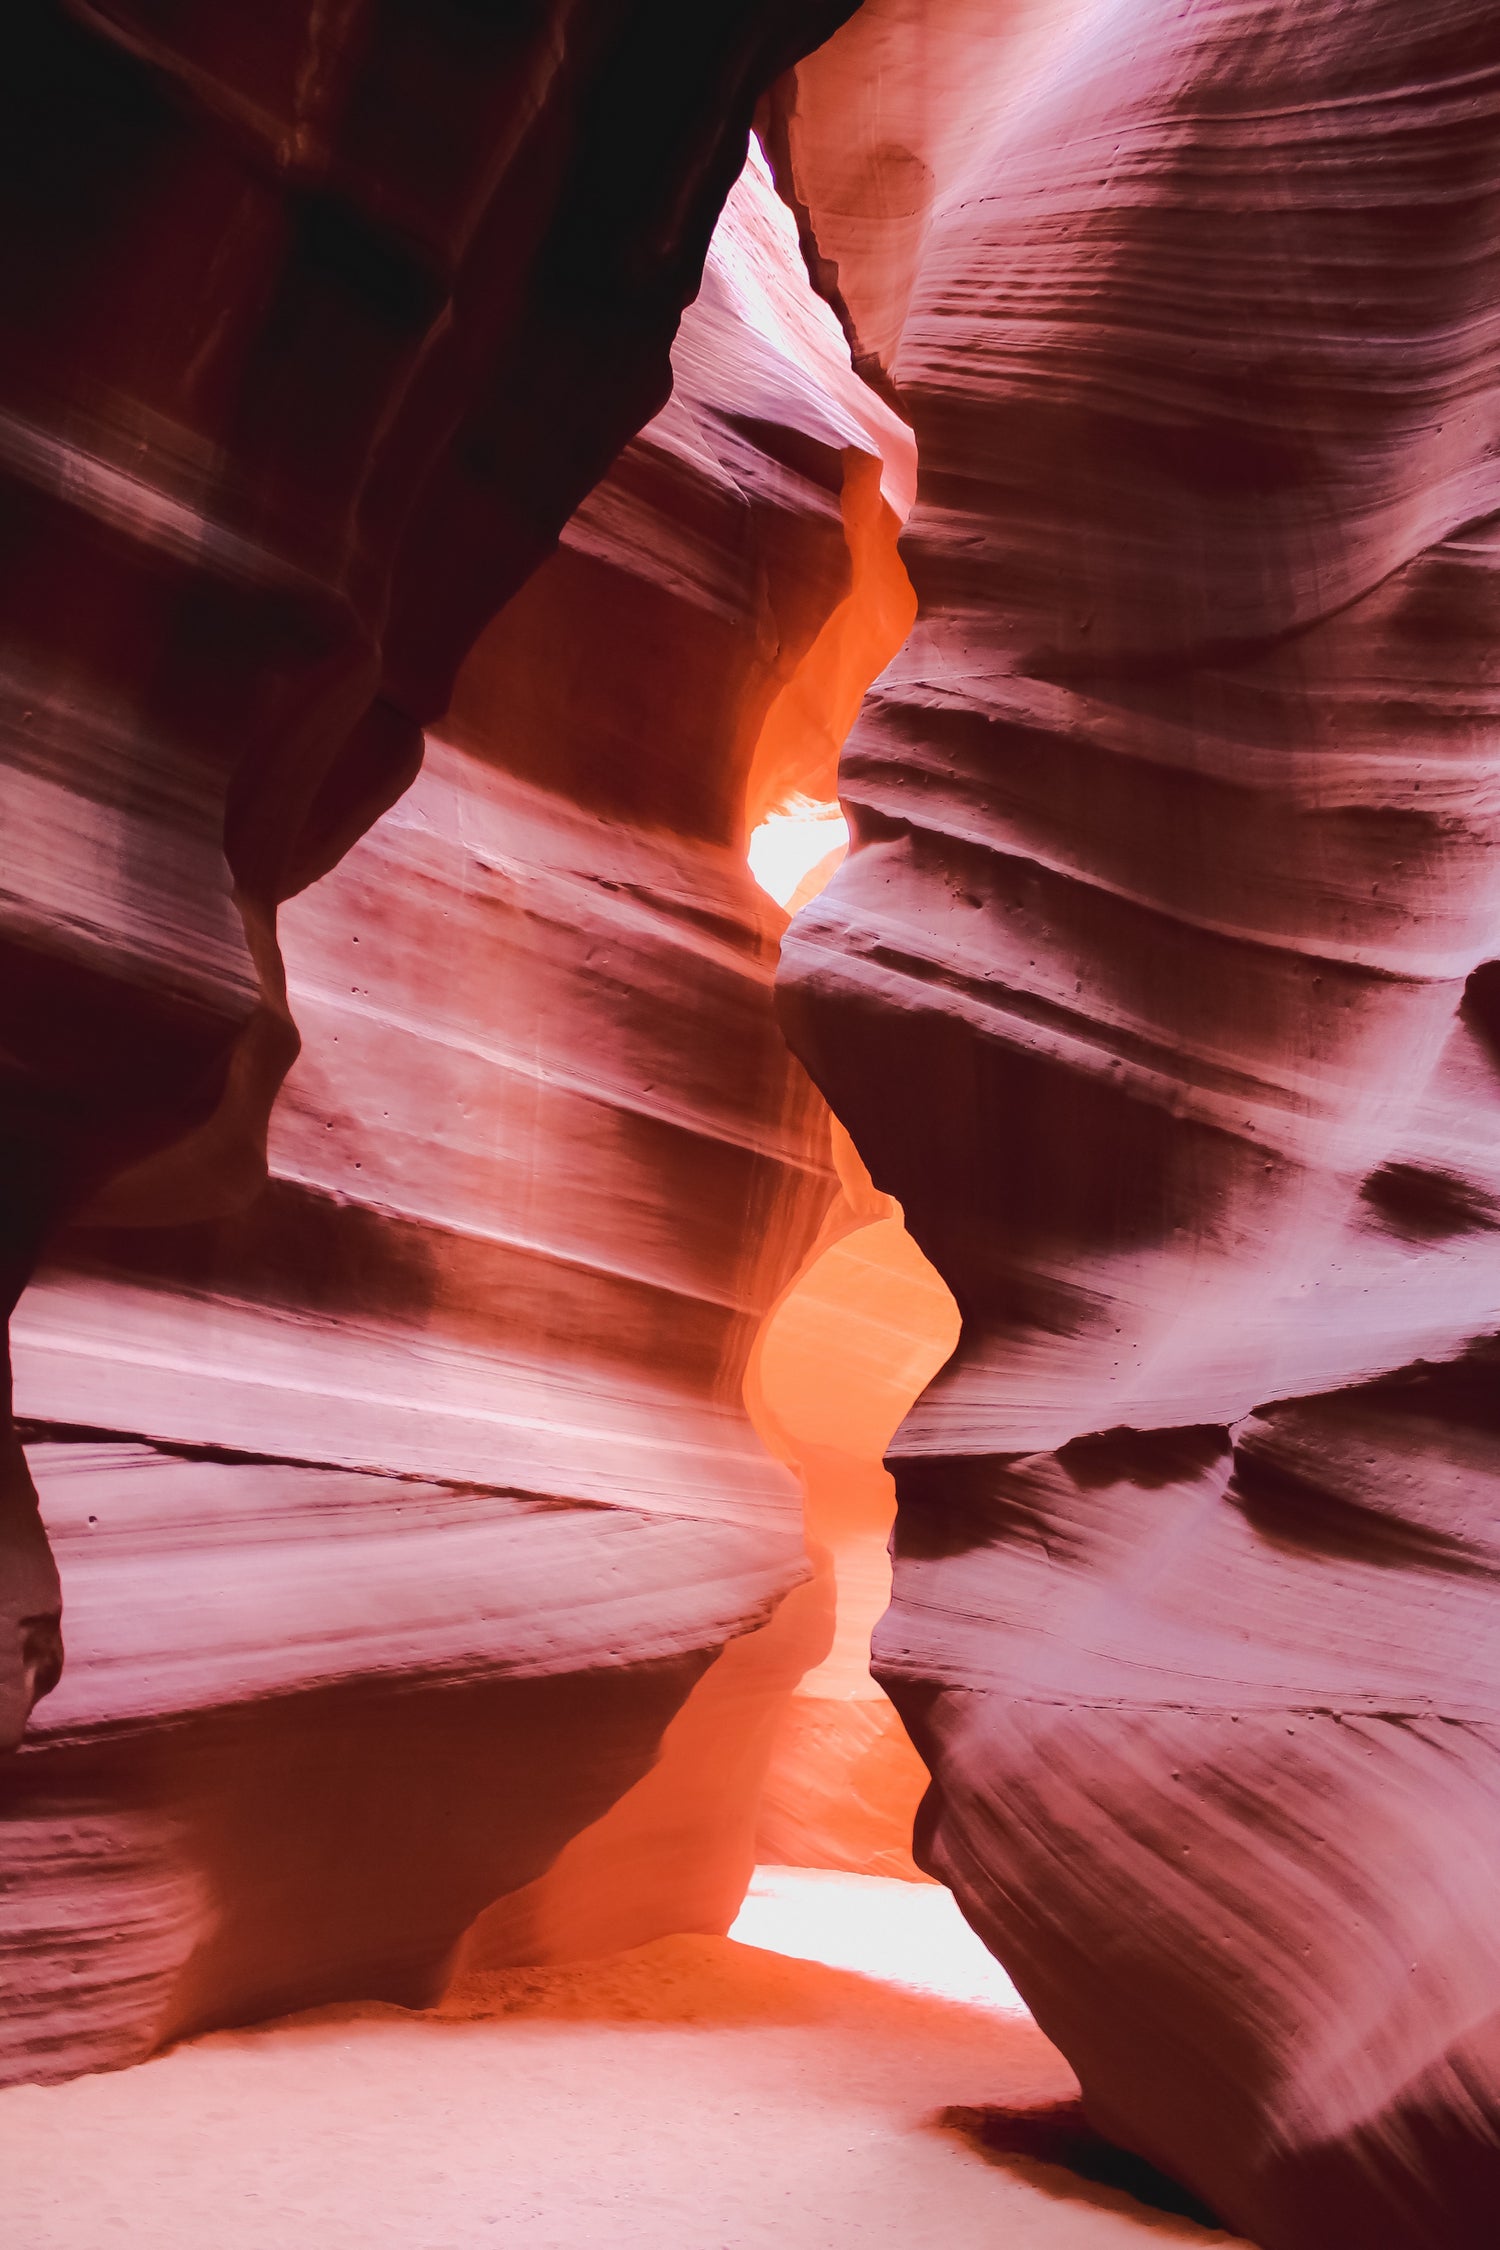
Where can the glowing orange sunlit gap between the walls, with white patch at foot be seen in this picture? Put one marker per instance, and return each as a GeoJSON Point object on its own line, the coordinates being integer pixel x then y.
{"type": "Point", "coordinates": [838, 1365]}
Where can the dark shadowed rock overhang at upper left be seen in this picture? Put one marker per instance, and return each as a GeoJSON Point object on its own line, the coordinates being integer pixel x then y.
{"type": "Point", "coordinates": [318, 325]}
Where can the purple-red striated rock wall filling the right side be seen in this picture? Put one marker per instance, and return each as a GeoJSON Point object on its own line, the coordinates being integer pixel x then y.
{"type": "Point", "coordinates": [1162, 991]}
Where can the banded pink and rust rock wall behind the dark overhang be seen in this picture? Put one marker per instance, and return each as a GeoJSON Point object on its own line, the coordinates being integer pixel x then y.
{"type": "Point", "coordinates": [440, 1491]}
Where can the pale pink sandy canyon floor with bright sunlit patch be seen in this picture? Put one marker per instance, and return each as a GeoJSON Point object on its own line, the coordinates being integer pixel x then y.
{"type": "Point", "coordinates": [703, 2094]}
